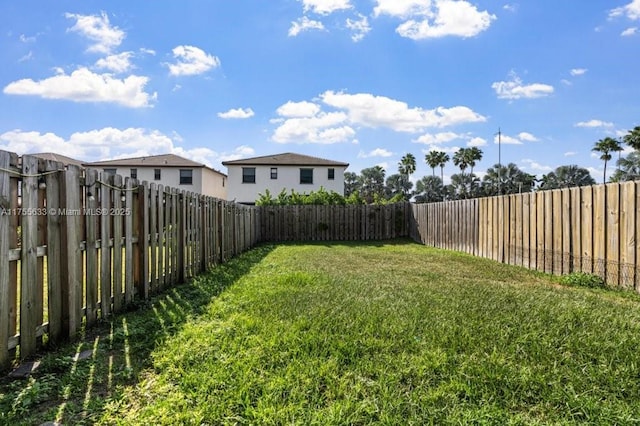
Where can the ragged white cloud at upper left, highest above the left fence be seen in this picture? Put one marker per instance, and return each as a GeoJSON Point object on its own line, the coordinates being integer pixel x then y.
{"type": "Point", "coordinates": [99, 30]}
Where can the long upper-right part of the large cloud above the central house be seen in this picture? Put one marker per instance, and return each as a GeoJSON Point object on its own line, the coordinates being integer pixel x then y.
{"type": "Point", "coordinates": [379, 111]}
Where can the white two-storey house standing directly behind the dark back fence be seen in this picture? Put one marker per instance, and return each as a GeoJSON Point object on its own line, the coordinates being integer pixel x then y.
{"type": "Point", "coordinates": [250, 177]}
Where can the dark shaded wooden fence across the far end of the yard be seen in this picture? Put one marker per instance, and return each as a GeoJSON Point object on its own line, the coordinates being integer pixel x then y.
{"type": "Point", "coordinates": [334, 223]}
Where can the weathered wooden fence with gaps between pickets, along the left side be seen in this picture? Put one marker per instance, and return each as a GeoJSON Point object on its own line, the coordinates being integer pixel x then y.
{"type": "Point", "coordinates": [77, 245]}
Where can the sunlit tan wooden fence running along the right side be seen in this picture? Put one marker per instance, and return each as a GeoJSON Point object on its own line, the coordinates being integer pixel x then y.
{"type": "Point", "coordinates": [593, 229]}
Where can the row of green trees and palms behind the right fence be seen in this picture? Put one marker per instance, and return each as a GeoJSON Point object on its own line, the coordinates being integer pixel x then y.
{"type": "Point", "coordinates": [500, 179]}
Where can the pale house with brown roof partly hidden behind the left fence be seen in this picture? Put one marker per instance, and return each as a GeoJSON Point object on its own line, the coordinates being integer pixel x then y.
{"type": "Point", "coordinates": [168, 170]}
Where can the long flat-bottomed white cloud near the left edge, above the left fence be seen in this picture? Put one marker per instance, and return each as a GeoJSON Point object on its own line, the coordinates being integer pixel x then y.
{"type": "Point", "coordinates": [82, 85]}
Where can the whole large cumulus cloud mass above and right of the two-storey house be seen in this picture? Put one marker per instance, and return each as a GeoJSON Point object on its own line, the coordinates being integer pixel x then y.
{"type": "Point", "coordinates": [307, 122]}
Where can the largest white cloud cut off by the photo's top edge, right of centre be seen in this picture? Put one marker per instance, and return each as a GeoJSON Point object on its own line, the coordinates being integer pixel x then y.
{"type": "Point", "coordinates": [437, 18]}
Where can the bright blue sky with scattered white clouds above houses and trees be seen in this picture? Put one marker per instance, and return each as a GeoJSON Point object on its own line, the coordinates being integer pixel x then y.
{"type": "Point", "coordinates": [361, 81]}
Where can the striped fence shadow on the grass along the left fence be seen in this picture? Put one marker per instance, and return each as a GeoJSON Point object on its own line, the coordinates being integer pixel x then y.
{"type": "Point", "coordinates": [74, 382]}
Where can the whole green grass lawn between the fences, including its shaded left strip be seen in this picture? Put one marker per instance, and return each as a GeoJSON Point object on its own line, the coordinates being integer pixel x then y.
{"type": "Point", "coordinates": [391, 333]}
